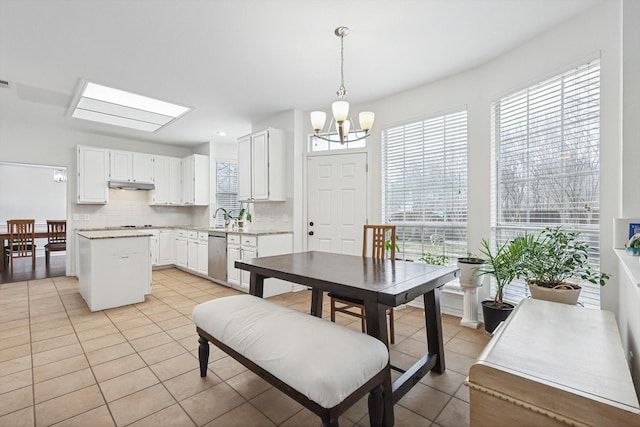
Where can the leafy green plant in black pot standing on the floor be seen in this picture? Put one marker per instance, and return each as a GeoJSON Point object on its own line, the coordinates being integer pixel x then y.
{"type": "Point", "coordinates": [504, 266]}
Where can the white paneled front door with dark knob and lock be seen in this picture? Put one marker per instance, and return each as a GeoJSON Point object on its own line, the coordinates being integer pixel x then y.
{"type": "Point", "coordinates": [337, 202]}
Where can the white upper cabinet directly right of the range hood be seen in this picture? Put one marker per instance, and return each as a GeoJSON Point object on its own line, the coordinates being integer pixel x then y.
{"type": "Point", "coordinates": [167, 175]}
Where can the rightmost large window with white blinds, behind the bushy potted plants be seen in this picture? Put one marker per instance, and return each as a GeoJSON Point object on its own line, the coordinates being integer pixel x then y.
{"type": "Point", "coordinates": [546, 142]}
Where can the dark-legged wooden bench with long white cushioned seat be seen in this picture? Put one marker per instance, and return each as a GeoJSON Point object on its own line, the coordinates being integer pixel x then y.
{"type": "Point", "coordinates": [323, 366]}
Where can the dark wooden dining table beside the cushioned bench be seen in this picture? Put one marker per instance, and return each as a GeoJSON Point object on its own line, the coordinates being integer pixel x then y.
{"type": "Point", "coordinates": [381, 284]}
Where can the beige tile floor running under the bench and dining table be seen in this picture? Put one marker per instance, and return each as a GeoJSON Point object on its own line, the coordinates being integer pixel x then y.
{"type": "Point", "coordinates": [61, 365]}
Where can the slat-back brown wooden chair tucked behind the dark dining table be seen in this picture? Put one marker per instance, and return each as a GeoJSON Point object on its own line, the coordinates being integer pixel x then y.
{"type": "Point", "coordinates": [355, 307]}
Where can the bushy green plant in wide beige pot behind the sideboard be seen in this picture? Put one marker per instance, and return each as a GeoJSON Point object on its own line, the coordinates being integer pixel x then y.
{"type": "Point", "coordinates": [552, 259]}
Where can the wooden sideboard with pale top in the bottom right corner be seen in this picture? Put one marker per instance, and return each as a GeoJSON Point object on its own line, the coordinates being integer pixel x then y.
{"type": "Point", "coordinates": [553, 364]}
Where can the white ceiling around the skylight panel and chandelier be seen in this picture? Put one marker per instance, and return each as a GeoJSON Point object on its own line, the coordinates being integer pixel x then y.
{"type": "Point", "coordinates": [236, 62]}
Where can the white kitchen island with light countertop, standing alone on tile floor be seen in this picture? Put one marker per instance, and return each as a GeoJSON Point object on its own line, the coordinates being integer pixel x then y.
{"type": "Point", "coordinates": [114, 267]}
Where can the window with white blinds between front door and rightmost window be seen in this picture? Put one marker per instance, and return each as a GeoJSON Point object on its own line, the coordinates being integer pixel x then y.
{"type": "Point", "coordinates": [425, 185]}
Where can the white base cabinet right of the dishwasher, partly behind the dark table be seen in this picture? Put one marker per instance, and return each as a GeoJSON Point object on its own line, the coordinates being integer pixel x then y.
{"type": "Point", "coordinates": [245, 247]}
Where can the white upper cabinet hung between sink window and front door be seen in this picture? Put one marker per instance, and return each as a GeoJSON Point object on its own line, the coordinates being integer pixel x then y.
{"type": "Point", "coordinates": [261, 166]}
